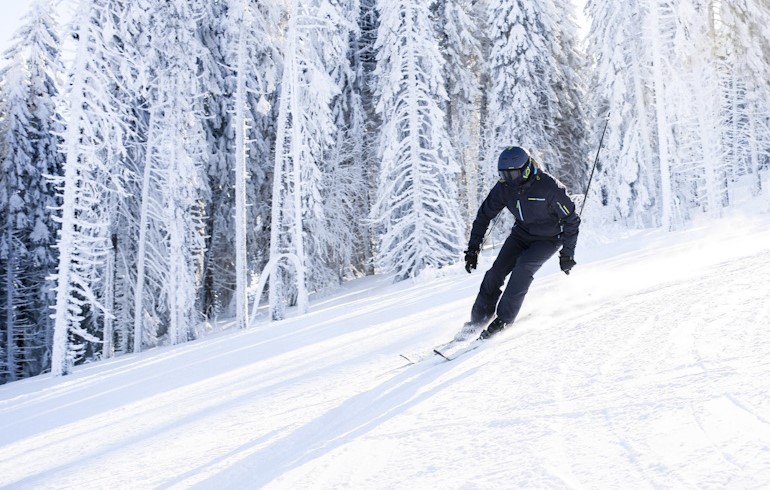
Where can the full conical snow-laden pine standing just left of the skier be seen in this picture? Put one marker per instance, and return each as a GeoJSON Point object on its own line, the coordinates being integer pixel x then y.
{"type": "Point", "coordinates": [416, 207]}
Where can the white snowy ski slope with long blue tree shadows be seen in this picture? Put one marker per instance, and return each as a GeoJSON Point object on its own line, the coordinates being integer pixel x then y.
{"type": "Point", "coordinates": [647, 367]}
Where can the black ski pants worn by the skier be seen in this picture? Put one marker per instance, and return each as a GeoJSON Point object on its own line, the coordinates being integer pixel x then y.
{"type": "Point", "coordinates": [520, 256]}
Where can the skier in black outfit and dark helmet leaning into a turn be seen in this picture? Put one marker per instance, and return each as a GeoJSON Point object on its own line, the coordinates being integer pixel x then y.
{"type": "Point", "coordinates": [545, 219]}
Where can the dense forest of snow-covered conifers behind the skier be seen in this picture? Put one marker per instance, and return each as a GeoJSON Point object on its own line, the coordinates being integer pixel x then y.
{"type": "Point", "coordinates": [170, 163]}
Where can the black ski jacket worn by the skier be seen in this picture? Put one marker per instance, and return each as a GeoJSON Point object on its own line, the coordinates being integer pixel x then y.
{"type": "Point", "coordinates": [540, 206]}
